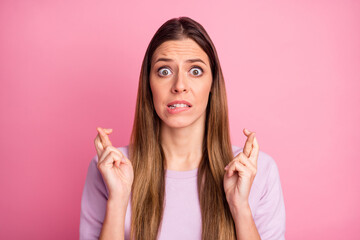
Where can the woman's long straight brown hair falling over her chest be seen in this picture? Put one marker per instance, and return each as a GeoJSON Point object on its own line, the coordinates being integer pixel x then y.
{"type": "Point", "coordinates": [147, 156]}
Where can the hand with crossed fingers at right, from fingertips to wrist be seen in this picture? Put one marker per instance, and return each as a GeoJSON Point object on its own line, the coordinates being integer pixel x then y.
{"type": "Point", "coordinates": [240, 173]}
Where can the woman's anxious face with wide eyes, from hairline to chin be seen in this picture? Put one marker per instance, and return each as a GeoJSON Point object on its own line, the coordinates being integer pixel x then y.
{"type": "Point", "coordinates": [180, 71]}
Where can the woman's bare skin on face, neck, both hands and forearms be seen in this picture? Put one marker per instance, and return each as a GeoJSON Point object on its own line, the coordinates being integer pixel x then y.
{"type": "Point", "coordinates": [181, 137]}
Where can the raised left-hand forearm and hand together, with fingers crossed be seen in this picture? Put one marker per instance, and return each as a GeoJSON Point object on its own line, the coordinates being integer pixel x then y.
{"type": "Point", "coordinates": [118, 175]}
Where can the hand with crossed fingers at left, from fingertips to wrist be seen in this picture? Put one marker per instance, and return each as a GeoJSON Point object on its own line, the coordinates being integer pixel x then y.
{"type": "Point", "coordinates": [115, 167]}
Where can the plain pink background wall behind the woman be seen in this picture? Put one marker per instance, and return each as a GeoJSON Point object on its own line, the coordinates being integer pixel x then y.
{"type": "Point", "coordinates": [292, 76]}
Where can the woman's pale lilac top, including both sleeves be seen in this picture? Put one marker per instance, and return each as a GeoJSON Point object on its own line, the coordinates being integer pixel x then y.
{"type": "Point", "coordinates": [182, 215]}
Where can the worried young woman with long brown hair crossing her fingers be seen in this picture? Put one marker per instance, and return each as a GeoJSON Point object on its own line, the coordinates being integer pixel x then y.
{"type": "Point", "coordinates": [180, 177]}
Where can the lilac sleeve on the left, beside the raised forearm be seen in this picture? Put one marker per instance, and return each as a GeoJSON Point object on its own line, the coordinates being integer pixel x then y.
{"type": "Point", "coordinates": [93, 203]}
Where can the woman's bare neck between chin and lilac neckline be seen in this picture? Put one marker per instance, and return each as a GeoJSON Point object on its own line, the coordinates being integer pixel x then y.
{"type": "Point", "coordinates": [182, 146]}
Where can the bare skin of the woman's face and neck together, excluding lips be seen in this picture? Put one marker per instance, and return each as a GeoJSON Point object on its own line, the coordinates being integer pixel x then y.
{"type": "Point", "coordinates": [181, 133]}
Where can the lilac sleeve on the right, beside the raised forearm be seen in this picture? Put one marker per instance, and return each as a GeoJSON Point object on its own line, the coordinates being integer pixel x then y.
{"type": "Point", "coordinates": [270, 212]}
